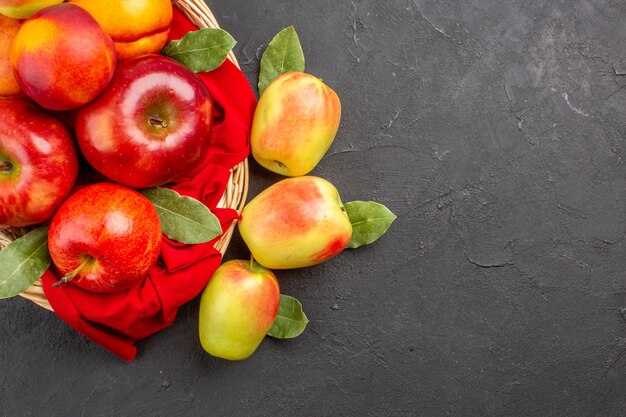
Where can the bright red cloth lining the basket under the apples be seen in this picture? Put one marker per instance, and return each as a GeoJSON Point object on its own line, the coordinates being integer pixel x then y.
{"type": "Point", "coordinates": [117, 321]}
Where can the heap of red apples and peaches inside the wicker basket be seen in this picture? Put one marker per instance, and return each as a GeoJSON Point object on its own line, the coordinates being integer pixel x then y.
{"type": "Point", "coordinates": [140, 120]}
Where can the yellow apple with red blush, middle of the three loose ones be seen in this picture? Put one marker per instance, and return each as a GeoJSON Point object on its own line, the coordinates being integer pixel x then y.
{"type": "Point", "coordinates": [296, 222]}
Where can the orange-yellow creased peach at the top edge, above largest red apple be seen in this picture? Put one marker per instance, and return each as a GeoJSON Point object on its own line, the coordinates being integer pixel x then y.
{"type": "Point", "coordinates": [137, 27]}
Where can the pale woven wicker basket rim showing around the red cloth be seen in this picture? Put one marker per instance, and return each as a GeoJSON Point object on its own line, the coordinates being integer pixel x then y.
{"type": "Point", "coordinates": [236, 190]}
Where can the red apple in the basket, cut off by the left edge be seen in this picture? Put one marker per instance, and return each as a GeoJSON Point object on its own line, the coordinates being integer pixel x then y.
{"type": "Point", "coordinates": [38, 164]}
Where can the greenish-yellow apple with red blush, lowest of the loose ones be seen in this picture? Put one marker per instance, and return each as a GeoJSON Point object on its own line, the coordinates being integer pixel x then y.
{"type": "Point", "coordinates": [237, 308]}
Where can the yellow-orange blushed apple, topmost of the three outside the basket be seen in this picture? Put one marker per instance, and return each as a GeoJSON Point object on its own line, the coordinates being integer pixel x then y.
{"type": "Point", "coordinates": [294, 124]}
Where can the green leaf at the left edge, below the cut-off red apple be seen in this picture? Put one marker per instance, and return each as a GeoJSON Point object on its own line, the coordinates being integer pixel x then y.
{"type": "Point", "coordinates": [23, 262]}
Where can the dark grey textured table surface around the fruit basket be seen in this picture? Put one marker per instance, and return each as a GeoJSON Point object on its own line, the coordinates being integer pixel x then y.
{"type": "Point", "coordinates": [496, 131]}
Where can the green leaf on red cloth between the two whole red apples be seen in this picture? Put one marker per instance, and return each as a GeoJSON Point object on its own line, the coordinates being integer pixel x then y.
{"type": "Point", "coordinates": [183, 219]}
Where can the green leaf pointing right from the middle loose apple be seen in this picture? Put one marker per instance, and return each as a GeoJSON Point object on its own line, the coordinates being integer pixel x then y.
{"type": "Point", "coordinates": [370, 220]}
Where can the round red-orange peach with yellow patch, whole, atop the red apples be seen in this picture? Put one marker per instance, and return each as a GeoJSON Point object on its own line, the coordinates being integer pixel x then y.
{"type": "Point", "coordinates": [62, 58]}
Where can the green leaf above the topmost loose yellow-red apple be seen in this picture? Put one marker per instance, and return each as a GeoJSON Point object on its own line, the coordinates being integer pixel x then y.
{"type": "Point", "coordinates": [283, 54]}
